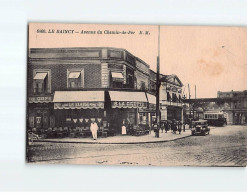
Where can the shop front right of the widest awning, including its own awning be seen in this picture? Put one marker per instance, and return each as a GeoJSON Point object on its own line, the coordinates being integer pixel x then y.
{"type": "Point", "coordinates": [125, 107]}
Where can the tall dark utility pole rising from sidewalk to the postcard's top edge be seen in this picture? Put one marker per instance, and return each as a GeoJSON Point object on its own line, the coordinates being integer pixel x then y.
{"type": "Point", "coordinates": [158, 88]}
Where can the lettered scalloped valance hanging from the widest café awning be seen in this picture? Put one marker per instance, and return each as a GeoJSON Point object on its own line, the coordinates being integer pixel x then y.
{"type": "Point", "coordinates": [78, 105]}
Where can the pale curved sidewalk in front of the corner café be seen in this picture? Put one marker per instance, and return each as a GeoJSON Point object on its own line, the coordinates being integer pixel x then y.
{"type": "Point", "coordinates": [123, 139]}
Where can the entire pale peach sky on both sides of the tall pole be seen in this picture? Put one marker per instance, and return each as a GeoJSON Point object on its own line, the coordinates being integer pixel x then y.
{"type": "Point", "coordinates": [210, 58]}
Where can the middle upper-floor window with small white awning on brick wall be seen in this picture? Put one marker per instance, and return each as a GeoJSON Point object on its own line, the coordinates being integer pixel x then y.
{"type": "Point", "coordinates": [75, 79]}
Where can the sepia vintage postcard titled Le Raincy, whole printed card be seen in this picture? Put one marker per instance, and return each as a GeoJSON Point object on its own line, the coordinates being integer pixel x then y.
{"type": "Point", "coordinates": [136, 95]}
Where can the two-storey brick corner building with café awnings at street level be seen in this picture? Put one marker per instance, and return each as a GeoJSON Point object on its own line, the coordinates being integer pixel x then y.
{"type": "Point", "coordinates": [70, 87]}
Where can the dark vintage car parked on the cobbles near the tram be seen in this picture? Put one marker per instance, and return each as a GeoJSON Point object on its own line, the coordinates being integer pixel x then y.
{"type": "Point", "coordinates": [200, 128]}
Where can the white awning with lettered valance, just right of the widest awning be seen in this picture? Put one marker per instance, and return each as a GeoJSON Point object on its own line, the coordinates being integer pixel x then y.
{"type": "Point", "coordinates": [127, 99]}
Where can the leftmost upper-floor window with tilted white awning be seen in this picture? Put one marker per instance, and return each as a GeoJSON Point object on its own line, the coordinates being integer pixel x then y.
{"type": "Point", "coordinates": [41, 82]}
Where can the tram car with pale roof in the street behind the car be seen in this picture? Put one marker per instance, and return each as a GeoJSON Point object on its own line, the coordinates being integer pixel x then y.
{"type": "Point", "coordinates": [215, 118]}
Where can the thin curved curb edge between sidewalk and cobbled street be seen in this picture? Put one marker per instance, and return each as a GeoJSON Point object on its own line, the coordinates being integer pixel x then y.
{"type": "Point", "coordinates": [74, 142]}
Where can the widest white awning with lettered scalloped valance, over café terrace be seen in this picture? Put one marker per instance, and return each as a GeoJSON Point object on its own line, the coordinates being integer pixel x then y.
{"type": "Point", "coordinates": [79, 100]}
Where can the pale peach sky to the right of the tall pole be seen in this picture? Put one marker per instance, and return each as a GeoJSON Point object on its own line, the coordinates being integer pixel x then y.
{"type": "Point", "coordinates": [212, 58]}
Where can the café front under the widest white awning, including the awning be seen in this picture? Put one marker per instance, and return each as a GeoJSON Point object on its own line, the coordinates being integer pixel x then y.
{"type": "Point", "coordinates": [79, 108]}
